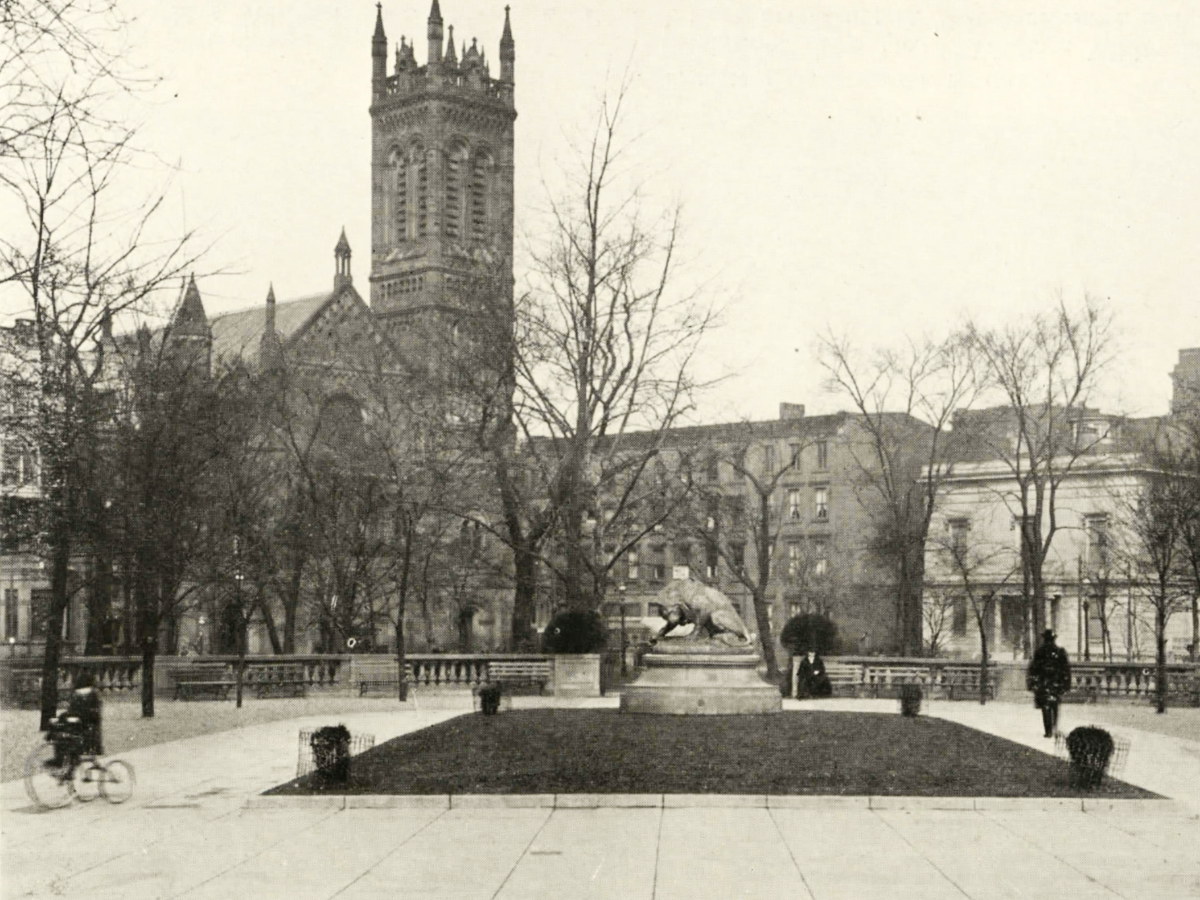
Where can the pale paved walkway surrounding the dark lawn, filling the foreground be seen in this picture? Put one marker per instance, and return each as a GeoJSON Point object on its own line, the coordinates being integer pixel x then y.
{"type": "Point", "coordinates": [189, 832]}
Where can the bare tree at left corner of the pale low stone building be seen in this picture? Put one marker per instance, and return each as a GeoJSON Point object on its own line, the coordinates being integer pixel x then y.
{"type": "Point", "coordinates": [902, 466]}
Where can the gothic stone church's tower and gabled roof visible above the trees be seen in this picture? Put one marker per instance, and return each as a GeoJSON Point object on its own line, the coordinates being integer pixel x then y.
{"type": "Point", "coordinates": [441, 220]}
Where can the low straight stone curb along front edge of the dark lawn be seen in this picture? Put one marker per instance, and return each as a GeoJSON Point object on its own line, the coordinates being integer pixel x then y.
{"type": "Point", "coordinates": [717, 801]}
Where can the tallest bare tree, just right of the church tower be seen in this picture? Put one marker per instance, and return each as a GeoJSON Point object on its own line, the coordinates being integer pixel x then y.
{"type": "Point", "coordinates": [602, 346]}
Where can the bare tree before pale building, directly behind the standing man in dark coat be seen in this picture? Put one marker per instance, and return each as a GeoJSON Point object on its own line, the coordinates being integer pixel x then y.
{"type": "Point", "coordinates": [1046, 371]}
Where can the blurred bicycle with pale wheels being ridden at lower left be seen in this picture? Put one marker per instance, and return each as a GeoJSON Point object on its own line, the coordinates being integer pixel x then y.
{"type": "Point", "coordinates": [57, 772]}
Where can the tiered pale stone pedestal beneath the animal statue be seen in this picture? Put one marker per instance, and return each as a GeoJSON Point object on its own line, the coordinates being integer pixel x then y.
{"type": "Point", "coordinates": [700, 679]}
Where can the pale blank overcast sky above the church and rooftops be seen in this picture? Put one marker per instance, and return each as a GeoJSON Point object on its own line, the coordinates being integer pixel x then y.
{"type": "Point", "coordinates": [878, 169]}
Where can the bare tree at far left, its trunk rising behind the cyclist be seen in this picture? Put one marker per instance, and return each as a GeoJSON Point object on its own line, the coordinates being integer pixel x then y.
{"type": "Point", "coordinates": [80, 261]}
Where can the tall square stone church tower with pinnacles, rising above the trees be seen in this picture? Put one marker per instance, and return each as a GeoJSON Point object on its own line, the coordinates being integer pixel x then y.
{"type": "Point", "coordinates": [441, 179]}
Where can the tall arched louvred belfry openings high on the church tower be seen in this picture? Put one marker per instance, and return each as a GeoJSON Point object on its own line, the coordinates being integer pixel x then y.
{"type": "Point", "coordinates": [467, 206]}
